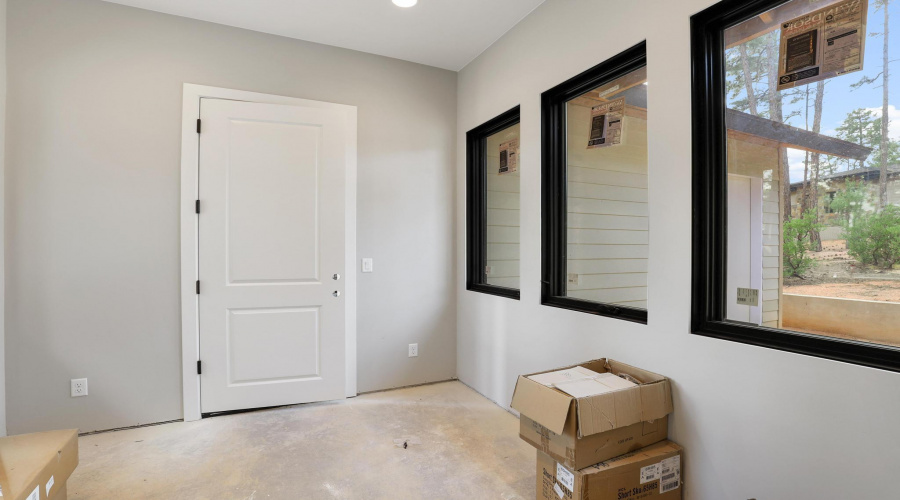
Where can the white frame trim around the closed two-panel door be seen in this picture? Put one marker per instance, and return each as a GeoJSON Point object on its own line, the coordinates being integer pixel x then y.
{"type": "Point", "coordinates": [190, 157]}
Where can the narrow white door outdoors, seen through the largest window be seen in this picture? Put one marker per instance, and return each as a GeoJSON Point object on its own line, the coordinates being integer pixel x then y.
{"type": "Point", "coordinates": [745, 197]}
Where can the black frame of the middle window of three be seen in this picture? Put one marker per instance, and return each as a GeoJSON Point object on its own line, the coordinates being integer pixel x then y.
{"type": "Point", "coordinates": [554, 187]}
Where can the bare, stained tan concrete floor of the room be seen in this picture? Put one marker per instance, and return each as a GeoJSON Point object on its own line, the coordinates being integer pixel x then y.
{"type": "Point", "coordinates": [460, 445]}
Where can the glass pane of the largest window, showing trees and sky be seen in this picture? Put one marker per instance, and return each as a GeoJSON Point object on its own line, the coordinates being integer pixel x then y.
{"type": "Point", "coordinates": [813, 198]}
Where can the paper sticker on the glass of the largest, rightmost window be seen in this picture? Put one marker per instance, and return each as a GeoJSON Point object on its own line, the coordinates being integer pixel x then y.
{"type": "Point", "coordinates": [822, 44]}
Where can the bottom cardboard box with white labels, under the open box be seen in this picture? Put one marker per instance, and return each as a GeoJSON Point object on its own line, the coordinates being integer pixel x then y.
{"type": "Point", "coordinates": [650, 473]}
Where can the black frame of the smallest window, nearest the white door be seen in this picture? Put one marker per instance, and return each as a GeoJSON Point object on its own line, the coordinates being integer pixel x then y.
{"type": "Point", "coordinates": [476, 204]}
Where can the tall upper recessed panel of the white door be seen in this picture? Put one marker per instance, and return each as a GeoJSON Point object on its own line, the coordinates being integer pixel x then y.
{"type": "Point", "coordinates": [272, 238]}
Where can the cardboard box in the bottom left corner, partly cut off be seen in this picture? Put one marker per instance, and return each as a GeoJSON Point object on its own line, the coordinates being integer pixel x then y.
{"type": "Point", "coordinates": [37, 466]}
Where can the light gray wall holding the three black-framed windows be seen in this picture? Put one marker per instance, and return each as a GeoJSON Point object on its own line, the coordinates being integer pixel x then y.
{"type": "Point", "coordinates": [755, 423]}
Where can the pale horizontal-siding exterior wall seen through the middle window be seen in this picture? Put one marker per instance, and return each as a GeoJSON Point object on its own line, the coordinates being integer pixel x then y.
{"type": "Point", "coordinates": [608, 237]}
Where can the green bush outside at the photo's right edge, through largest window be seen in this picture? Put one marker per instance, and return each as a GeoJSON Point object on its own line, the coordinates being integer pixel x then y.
{"type": "Point", "coordinates": [874, 238]}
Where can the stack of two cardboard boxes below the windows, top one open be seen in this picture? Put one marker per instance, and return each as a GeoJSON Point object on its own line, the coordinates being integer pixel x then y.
{"type": "Point", "coordinates": [603, 443]}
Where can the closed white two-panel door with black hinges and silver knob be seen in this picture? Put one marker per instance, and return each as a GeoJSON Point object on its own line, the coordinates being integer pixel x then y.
{"type": "Point", "coordinates": [271, 254]}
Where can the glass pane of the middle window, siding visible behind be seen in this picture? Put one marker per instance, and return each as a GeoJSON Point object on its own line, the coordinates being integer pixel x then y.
{"type": "Point", "coordinates": [607, 232]}
